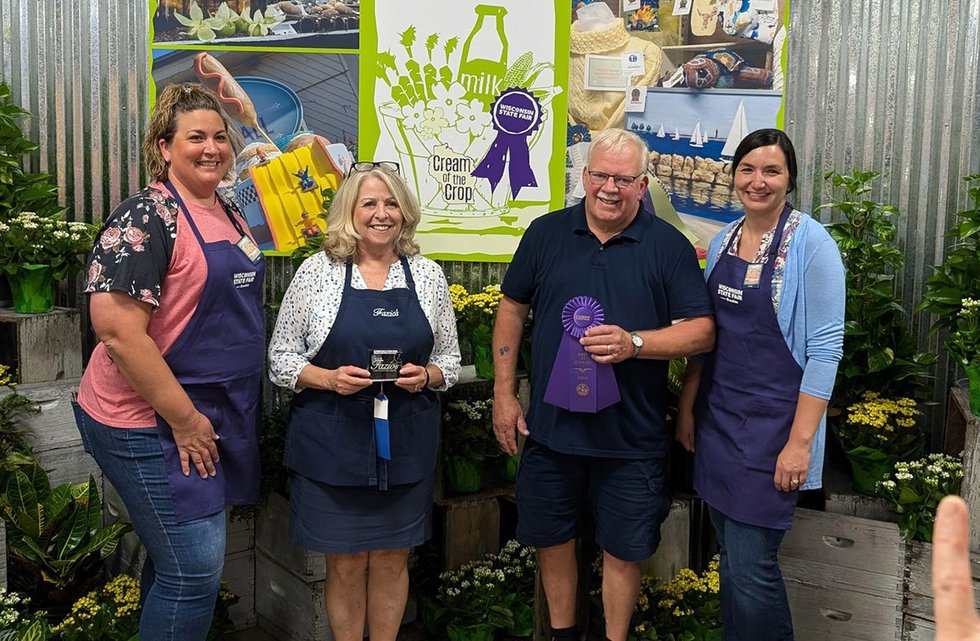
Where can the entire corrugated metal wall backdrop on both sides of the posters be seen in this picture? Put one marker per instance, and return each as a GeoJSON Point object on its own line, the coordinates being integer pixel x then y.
{"type": "Point", "coordinates": [884, 85]}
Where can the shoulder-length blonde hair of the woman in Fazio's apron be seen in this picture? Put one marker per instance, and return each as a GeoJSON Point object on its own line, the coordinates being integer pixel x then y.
{"type": "Point", "coordinates": [341, 242]}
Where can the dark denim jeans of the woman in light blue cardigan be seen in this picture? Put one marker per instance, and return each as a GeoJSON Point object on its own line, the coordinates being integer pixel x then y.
{"type": "Point", "coordinates": [753, 597]}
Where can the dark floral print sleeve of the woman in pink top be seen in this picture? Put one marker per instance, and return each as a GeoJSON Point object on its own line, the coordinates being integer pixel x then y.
{"type": "Point", "coordinates": [133, 250]}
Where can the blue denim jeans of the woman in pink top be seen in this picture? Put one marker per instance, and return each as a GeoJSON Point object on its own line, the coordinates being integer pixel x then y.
{"type": "Point", "coordinates": [182, 573]}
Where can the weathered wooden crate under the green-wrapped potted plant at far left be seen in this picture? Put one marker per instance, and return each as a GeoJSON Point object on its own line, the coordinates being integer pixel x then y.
{"type": "Point", "coordinates": [42, 347]}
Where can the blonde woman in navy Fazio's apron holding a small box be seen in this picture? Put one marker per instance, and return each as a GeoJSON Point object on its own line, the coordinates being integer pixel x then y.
{"type": "Point", "coordinates": [362, 453]}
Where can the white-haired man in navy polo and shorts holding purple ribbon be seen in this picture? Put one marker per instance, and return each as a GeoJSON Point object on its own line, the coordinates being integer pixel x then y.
{"type": "Point", "coordinates": [644, 275]}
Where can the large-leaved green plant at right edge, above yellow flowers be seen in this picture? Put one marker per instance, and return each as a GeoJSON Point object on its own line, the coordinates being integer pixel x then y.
{"type": "Point", "coordinates": [954, 286]}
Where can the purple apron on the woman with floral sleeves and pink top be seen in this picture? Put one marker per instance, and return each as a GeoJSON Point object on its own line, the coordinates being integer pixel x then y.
{"type": "Point", "coordinates": [218, 360]}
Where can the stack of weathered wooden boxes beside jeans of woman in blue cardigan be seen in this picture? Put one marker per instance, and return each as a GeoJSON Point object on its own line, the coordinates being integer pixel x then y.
{"type": "Point", "coordinates": [844, 577]}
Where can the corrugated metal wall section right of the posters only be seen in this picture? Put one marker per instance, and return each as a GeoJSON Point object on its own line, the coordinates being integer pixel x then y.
{"type": "Point", "coordinates": [890, 86]}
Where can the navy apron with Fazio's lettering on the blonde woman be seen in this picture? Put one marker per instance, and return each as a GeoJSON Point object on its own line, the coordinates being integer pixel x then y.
{"type": "Point", "coordinates": [331, 437]}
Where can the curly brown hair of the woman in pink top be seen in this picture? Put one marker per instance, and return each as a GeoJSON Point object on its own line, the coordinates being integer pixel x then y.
{"type": "Point", "coordinates": [173, 101]}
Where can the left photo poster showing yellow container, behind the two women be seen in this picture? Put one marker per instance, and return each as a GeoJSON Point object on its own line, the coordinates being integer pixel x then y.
{"type": "Point", "coordinates": [286, 75]}
